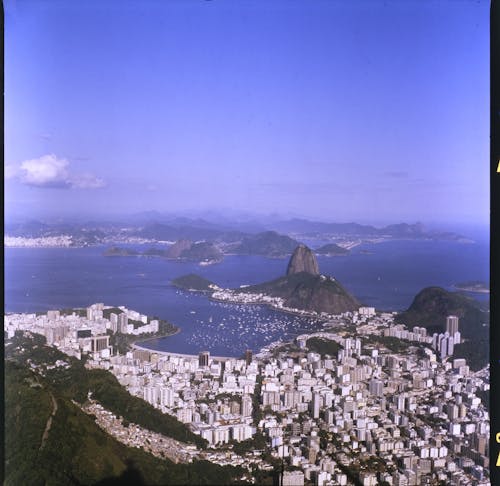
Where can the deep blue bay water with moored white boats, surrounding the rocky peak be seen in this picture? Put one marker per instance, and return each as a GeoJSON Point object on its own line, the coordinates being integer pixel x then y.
{"type": "Point", "coordinates": [385, 275]}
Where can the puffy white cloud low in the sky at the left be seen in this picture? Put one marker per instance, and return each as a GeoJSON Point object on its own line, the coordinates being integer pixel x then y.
{"type": "Point", "coordinates": [51, 171]}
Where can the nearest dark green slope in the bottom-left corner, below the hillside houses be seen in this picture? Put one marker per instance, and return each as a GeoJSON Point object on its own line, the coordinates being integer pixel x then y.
{"type": "Point", "coordinates": [77, 451]}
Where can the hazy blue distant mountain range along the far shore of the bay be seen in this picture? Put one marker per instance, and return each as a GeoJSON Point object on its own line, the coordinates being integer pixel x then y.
{"type": "Point", "coordinates": [276, 239]}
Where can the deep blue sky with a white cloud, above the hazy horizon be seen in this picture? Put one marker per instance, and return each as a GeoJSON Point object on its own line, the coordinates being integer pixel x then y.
{"type": "Point", "coordinates": [369, 111]}
